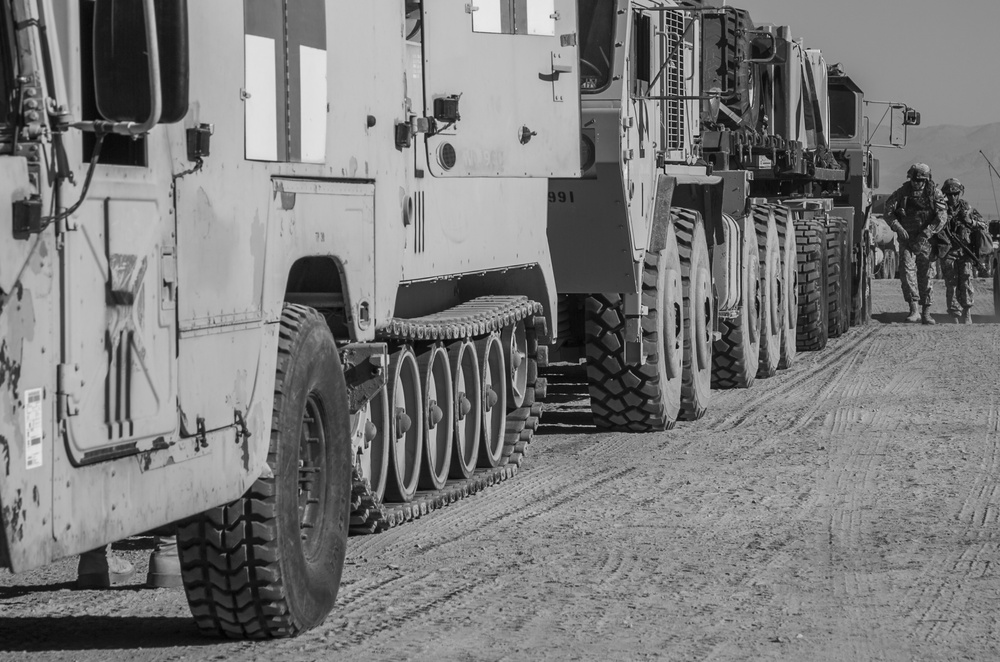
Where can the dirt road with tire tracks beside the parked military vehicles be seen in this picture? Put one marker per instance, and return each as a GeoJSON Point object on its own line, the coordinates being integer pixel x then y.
{"type": "Point", "coordinates": [846, 509]}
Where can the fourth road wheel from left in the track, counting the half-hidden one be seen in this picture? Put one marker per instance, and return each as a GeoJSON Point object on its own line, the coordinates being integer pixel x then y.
{"type": "Point", "coordinates": [468, 408]}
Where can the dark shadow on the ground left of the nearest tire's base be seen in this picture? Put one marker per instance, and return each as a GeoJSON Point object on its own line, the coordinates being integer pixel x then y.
{"type": "Point", "coordinates": [79, 633]}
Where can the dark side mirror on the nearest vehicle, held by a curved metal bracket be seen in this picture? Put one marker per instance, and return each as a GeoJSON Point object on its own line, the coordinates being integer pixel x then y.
{"type": "Point", "coordinates": [141, 66]}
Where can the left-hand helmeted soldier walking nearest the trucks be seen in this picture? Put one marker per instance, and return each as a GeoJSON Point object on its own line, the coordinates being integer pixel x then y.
{"type": "Point", "coordinates": [917, 211]}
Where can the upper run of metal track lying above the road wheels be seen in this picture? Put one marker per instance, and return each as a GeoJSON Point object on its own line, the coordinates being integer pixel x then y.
{"type": "Point", "coordinates": [473, 318]}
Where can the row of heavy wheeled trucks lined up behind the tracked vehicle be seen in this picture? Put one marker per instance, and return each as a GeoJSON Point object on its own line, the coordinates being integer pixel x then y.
{"type": "Point", "coordinates": [722, 221]}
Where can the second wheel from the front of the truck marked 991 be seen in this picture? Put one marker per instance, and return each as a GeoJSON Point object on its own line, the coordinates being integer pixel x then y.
{"type": "Point", "coordinates": [698, 322]}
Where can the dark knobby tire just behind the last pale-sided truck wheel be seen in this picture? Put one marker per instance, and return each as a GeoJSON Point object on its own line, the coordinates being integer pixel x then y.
{"type": "Point", "coordinates": [812, 327]}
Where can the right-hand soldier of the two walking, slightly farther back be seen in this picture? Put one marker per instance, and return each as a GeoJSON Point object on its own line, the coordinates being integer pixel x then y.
{"type": "Point", "coordinates": [957, 264]}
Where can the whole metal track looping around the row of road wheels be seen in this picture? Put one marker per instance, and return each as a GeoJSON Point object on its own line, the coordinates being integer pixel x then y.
{"type": "Point", "coordinates": [477, 317]}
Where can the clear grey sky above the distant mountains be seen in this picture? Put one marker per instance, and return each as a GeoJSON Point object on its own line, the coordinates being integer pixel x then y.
{"type": "Point", "coordinates": [939, 57]}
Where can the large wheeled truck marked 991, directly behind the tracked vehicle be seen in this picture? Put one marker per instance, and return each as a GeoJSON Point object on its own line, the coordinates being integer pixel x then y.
{"type": "Point", "coordinates": [672, 277]}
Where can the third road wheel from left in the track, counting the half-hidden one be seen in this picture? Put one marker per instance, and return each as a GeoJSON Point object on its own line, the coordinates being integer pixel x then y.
{"type": "Point", "coordinates": [438, 411]}
